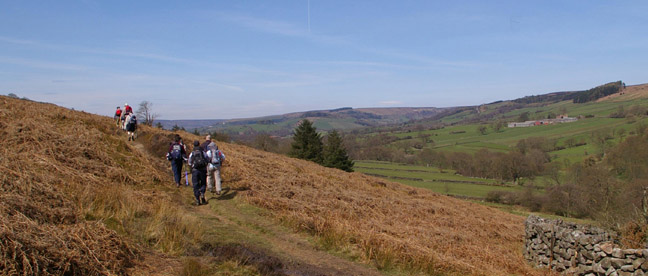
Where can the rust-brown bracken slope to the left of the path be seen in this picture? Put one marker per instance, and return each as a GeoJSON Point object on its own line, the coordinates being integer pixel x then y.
{"type": "Point", "coordinates": [66, 175]}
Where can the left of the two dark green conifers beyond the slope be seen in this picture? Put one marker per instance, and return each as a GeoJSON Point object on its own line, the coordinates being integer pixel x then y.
{"type": "Point", "coordinates": [307, 143]}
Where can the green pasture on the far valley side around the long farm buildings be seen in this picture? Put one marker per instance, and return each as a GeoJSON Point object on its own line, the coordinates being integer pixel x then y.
{"type": "Point", "coordinates": [468, 139]}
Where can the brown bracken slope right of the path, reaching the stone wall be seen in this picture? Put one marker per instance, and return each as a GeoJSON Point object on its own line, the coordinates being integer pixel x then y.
{"type": "Point", "coordinates": [389, 223]}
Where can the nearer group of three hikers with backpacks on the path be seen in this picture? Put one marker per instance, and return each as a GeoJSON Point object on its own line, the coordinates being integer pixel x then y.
{"type": "Point", "coordinates": [205, 161]}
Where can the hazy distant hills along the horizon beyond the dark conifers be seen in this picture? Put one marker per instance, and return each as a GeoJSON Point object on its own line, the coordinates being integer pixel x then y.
{"type": "Point", "coordinates": [325, 120]}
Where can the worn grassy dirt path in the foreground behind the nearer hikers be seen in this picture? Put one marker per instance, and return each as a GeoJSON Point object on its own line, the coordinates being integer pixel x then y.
{"type": "Point", "coordinates": [258, 230]}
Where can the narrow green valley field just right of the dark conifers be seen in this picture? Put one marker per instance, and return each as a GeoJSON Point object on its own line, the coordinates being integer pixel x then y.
{"type": "Point", "coordinates": [440, 181]}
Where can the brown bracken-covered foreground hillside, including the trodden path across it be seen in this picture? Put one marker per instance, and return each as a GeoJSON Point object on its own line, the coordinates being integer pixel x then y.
{"type": "Point", "coordinates": [78, 199]}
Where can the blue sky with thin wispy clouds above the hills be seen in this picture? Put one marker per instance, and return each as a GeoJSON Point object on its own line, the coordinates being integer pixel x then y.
{"type": "Point", "coordinates": [240, 59]}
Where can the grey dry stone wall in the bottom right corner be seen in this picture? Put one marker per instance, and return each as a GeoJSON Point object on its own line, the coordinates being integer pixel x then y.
{"type": "Point", "coordinates": [580, 250]}
